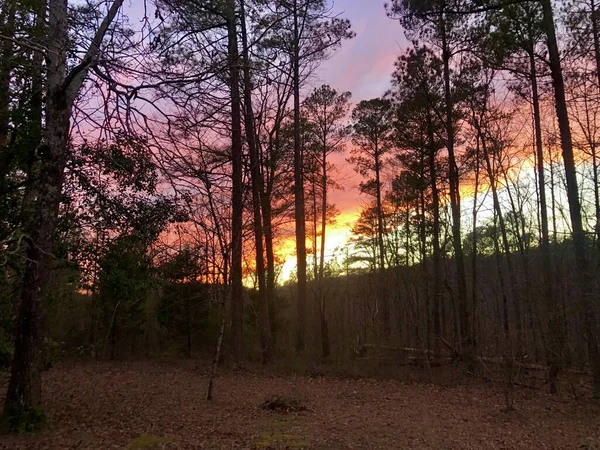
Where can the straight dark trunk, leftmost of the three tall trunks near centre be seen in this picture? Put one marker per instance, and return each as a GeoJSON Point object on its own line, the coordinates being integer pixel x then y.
{"type": "Point", "coordinates": [237, 290]}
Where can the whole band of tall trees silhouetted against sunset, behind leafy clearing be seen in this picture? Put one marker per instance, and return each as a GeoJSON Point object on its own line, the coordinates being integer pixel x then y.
{"type": "Point", "coordinates": [147, 171]}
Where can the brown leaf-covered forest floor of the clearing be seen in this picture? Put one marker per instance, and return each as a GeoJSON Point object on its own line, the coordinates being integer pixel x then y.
{"type": "Point", "coordinates": [155, 405]}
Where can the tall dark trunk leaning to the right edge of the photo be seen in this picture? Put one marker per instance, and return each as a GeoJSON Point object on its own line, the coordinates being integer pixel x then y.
{"type": "Point", "coordinates": [579, 239]}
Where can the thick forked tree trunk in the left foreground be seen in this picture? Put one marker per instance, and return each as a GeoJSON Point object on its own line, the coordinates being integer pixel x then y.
{"type": "Point", "coordinates": [62, 87]}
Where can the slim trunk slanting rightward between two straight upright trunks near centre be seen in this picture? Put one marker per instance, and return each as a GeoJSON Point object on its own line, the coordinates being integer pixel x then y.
{"type": "Point", "coordinates": [257, 189]}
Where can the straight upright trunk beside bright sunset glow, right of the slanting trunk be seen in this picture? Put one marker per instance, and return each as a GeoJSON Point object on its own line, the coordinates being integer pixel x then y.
{"type": "Point", "coordinates": [299, 211]}
